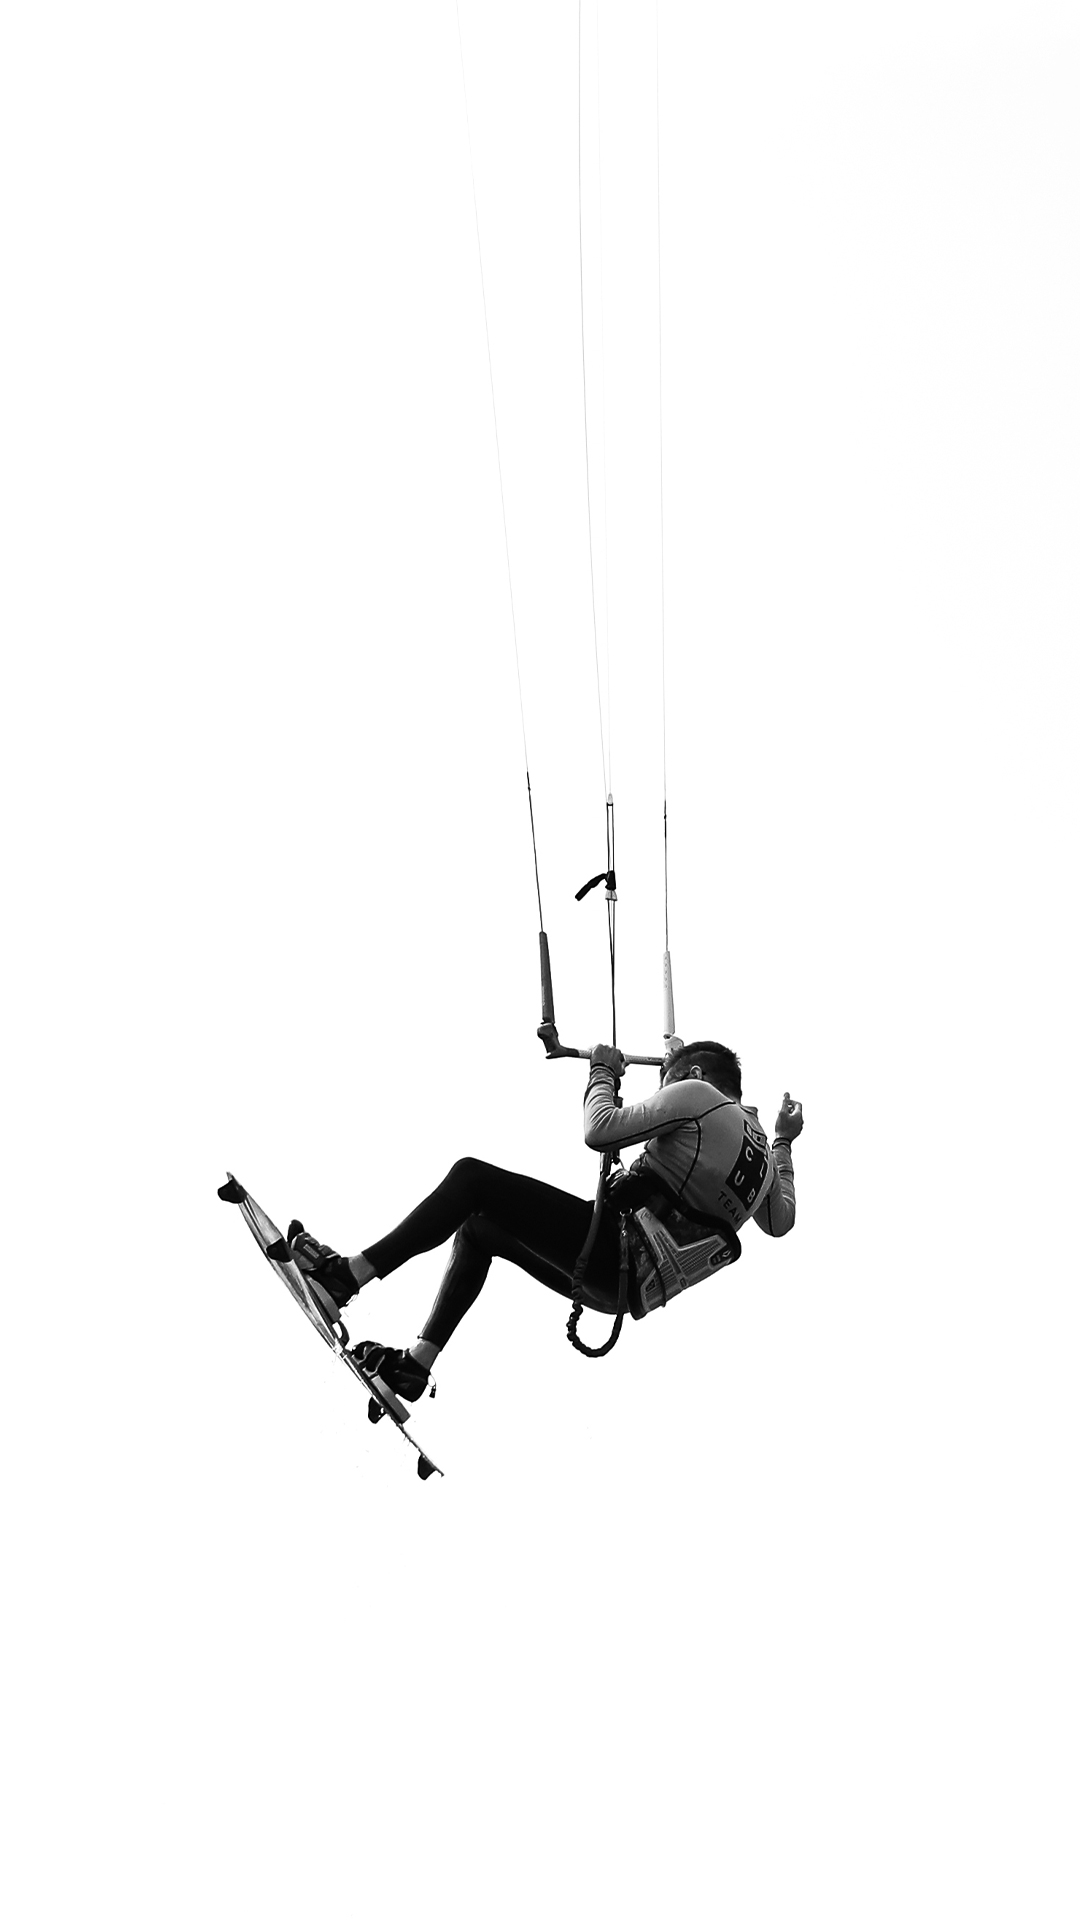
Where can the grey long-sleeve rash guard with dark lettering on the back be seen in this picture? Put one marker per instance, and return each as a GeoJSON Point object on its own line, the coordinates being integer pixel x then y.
{"type": "Point", "coordinates": [704, 1147]}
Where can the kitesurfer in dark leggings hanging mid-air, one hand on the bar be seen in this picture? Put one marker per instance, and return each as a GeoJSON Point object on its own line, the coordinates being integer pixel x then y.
{"type": "Point", "coordinates": [662, 1226]}
